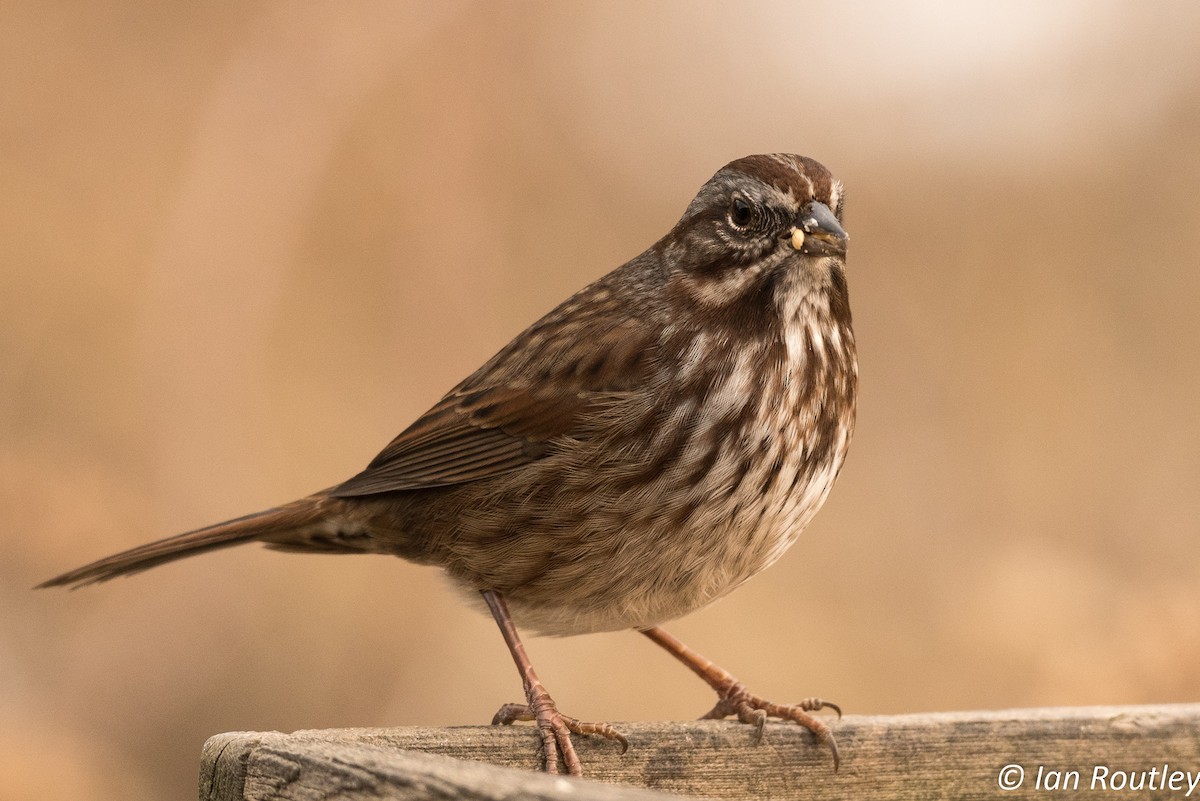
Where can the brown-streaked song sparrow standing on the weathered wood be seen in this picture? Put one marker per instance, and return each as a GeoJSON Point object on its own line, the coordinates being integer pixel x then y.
{"type": "Point", "coordinates": [644, 449]}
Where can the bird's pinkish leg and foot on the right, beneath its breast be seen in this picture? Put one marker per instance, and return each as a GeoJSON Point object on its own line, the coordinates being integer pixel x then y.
{"type": "Point", "coordinates": [733, 697]}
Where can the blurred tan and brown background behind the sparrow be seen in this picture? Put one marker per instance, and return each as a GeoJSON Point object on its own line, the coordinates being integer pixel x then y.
{"type": "Point", "coordinates": [243, 245]}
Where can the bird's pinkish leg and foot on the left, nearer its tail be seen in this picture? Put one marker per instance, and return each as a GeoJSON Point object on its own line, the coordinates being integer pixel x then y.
{"type": "Point", "coordinates": [556, 728]}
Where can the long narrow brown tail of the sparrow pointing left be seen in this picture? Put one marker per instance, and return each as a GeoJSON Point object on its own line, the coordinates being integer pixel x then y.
{"type": "Point", "coordinates": [261, 526]}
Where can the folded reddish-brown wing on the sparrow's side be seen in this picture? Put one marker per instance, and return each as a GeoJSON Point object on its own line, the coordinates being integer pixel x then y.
{"type": "Point", "coordinates": [514, 411]}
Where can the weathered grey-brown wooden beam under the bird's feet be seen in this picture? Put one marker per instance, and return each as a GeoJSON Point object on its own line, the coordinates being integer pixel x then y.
{"type": "Point", "coordinates": [938, 756]}
